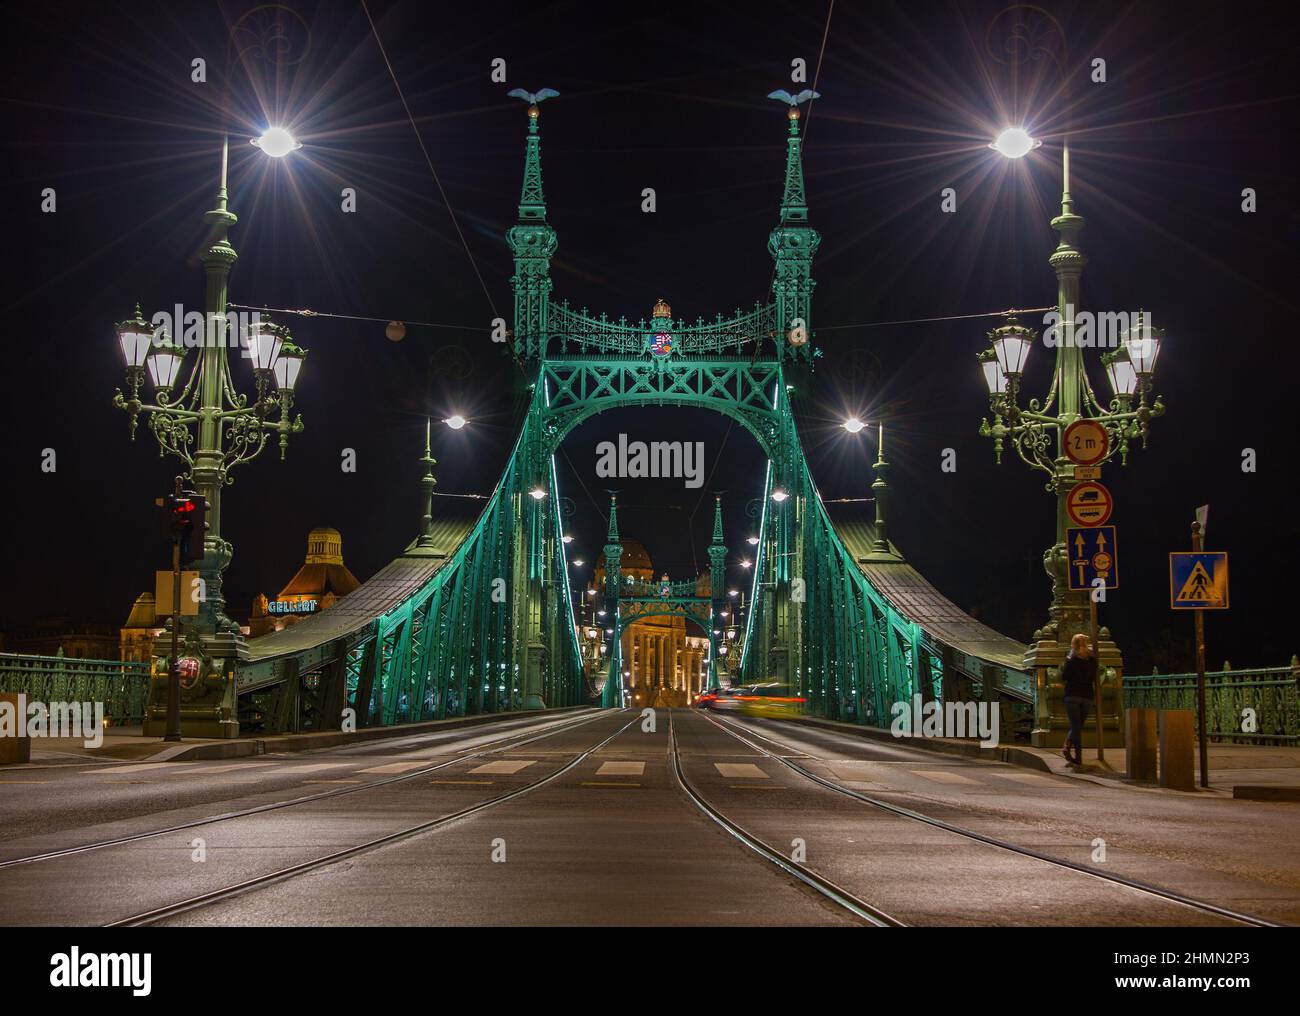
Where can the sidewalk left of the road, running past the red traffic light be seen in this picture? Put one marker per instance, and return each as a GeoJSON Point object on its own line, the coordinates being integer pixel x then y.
{"type": "Point", "coordinates": [127, 744]}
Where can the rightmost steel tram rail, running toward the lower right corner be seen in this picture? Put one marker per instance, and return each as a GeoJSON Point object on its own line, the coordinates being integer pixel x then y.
{"type": "Point", "coordinates": [1117, 880]}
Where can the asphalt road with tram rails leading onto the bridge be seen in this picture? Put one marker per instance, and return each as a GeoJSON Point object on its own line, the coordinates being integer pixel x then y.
{"type": "Point", "coordinates": [583, 820]}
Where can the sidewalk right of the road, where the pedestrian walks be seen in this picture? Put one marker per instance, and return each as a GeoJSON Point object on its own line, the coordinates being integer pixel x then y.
{"type": "Point", "coordinates": [1242, 771]}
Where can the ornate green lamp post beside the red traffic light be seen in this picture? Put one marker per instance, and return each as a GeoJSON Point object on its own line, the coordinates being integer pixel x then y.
{"type": "Point", "coordinates": [200, 416]}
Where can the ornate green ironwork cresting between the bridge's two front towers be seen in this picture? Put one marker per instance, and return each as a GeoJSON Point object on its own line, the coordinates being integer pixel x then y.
{"type": "Point", "coordinates": [577, 332]}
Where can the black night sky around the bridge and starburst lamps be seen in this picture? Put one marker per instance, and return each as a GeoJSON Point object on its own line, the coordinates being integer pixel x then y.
{"type": "Point", "coordinates": [1199, 103]}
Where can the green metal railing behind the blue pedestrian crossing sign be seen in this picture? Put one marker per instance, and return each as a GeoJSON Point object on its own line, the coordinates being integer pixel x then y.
{"type": "Point", "coordinates": [1272, 694]}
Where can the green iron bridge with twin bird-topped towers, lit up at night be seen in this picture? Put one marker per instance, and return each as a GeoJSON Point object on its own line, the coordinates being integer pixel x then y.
{"type": "Point", "coordinates": [476, 614]}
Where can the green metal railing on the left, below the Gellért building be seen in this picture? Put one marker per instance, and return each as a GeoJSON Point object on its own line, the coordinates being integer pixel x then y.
{"type": "Point", "coordinates": [124, 688]}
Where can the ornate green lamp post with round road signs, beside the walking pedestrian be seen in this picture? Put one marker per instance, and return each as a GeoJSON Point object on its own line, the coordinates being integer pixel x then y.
{"type": "Point", "coordinates": [1037, 432]}
